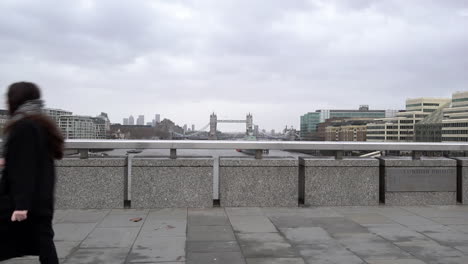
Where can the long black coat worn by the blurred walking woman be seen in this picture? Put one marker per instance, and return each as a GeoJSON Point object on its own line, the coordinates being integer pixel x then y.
{"type": "Point", "coordinates": [27, 183]}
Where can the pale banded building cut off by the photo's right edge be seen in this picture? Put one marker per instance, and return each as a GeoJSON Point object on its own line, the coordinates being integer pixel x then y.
{"type": "Point", "coordinates": [455, 120]}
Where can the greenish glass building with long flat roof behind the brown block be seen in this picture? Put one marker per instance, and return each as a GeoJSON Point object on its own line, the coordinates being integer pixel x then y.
{"type": "Point", "coordinates": [310, 121]}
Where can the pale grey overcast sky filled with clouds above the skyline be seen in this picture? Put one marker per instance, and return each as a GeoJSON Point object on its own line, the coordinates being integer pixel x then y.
{"type": "Point", "coordinates": [274, 58]}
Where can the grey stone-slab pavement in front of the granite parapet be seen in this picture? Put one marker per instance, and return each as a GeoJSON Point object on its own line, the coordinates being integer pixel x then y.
{"type": "Point", "coordinates": [345, 235]}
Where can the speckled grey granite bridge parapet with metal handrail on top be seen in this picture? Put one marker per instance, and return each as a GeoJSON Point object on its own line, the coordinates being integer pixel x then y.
{"type": "Point", "coordinates": [178, 181]}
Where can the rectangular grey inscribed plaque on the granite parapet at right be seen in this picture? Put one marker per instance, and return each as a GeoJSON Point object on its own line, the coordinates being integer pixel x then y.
{"type": "Point", "coordinates": [421, 179]}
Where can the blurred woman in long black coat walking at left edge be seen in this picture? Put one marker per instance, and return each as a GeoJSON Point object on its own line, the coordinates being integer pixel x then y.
{"type": "Point", "coordinates": [31, 143]}
